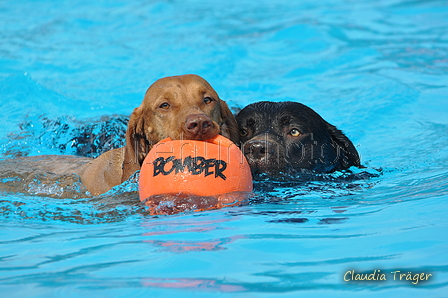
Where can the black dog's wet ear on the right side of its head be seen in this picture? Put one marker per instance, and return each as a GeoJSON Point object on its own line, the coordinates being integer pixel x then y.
{"type": "Point", "coordinates": [348, 154]}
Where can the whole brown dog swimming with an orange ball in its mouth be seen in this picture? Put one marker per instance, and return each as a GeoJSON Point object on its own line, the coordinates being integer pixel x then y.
{"type": "Point", "coordinates": [180, 107]}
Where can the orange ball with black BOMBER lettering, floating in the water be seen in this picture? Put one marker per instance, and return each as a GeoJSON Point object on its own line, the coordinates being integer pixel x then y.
{"type": "Point", "coordinates": [202, 168]}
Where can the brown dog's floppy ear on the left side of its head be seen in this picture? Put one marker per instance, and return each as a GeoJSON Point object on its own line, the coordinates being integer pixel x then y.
{"type": "Point", "coordinates": [137, 144]}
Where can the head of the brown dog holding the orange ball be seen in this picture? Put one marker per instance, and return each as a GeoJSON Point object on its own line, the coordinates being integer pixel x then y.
{"type": "Point", "coordinates": [180, 107]}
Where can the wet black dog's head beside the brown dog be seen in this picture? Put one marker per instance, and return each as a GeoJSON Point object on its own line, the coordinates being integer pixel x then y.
{"type": "Point", "coordinates": [288, 137]}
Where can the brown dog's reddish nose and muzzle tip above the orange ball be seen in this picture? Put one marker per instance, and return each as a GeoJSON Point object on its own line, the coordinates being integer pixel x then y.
{"type": "Point", "coordinates": [199, 127]}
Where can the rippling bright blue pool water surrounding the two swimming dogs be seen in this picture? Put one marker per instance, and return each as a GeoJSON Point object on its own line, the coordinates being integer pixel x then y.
{"type": "Point", "coordinates": [376, 69]}
